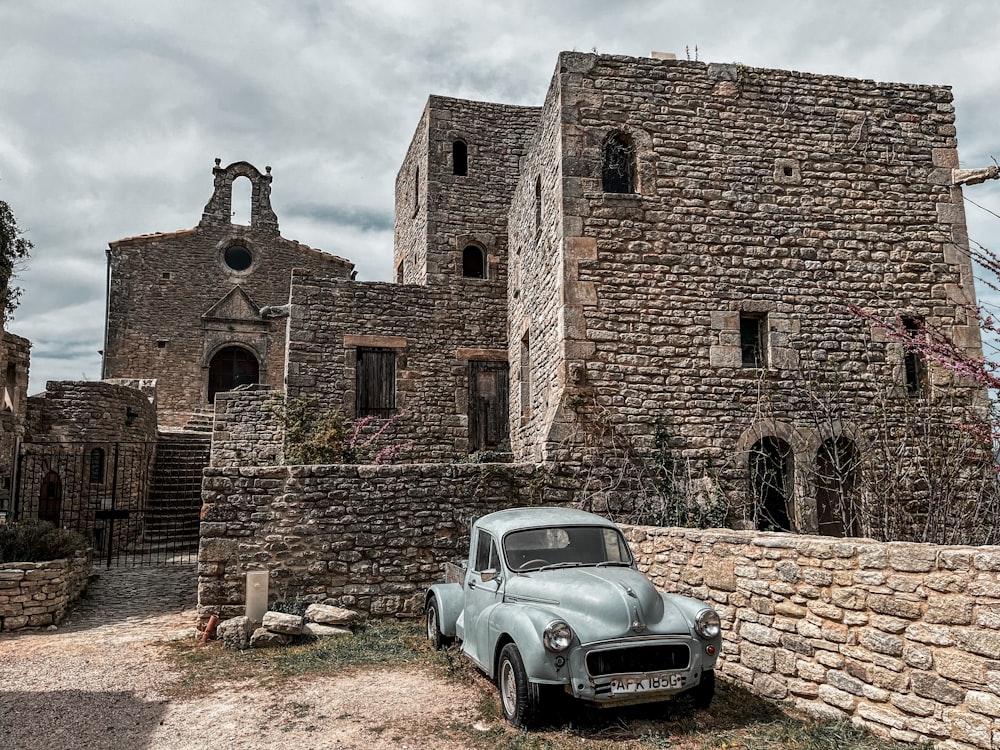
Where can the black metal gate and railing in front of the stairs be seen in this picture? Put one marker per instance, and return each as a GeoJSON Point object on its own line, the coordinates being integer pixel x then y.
{"type": "Point", "coordinates": [106, 492]}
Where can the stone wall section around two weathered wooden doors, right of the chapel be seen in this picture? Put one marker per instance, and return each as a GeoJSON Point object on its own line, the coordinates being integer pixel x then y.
{"type": "Point", "coordinates": [436, 331]}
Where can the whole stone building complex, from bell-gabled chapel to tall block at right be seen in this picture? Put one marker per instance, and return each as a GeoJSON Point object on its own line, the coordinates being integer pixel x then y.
{"type": "Point", "coordinates": [657, 262]}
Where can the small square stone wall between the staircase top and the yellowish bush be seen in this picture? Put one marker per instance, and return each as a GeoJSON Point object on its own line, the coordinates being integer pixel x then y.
{"type": "Point", "coordinates": [248, 429]}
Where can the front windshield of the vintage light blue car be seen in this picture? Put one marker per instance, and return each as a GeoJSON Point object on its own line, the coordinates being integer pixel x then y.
{"type": "Point", "coordinates": [564, 547]}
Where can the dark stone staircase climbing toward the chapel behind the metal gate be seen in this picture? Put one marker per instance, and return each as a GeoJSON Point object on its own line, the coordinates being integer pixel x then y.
{"type": "Point", "coordinates": [173, 513]}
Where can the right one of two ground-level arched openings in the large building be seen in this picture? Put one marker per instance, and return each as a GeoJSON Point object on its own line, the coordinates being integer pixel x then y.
{"type": "Point", "coordinates": [836, 473]}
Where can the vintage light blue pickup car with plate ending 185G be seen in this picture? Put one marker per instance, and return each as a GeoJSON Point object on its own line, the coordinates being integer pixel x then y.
{"type": "Point", "coordinates": [550, 599]}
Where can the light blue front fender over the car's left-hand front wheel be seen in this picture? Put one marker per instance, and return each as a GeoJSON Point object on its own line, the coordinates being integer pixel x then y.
{"type": "Point", "coordinates": [524, 625]}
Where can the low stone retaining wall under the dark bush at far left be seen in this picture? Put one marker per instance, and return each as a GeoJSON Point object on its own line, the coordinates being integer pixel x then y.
{"type": "Point", "coordinates": [38, 594]}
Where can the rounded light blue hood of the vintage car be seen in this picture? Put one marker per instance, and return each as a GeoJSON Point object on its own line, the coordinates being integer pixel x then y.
{"type": "Point", "coordinates": [599, 603]}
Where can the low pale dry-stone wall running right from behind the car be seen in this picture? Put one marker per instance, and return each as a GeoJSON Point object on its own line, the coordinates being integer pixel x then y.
{"type": "Point", "coordinates": [902, 639]}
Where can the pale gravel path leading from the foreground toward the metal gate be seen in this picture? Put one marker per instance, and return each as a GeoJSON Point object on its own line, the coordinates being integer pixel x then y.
{"type": "Point", "coordinates": [101, 681]}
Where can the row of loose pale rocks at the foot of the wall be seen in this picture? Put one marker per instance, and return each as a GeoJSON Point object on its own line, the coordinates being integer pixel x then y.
{"type": "Point", "coordinates": [282, 628]}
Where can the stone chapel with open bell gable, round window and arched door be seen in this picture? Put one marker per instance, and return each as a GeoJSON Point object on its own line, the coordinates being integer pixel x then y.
{"type": "Point", "coordinates": [190, 309]}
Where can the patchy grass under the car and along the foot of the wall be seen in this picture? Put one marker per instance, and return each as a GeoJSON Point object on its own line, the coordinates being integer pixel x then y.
{"type": "Point", "coordinates": [737, 719]}
